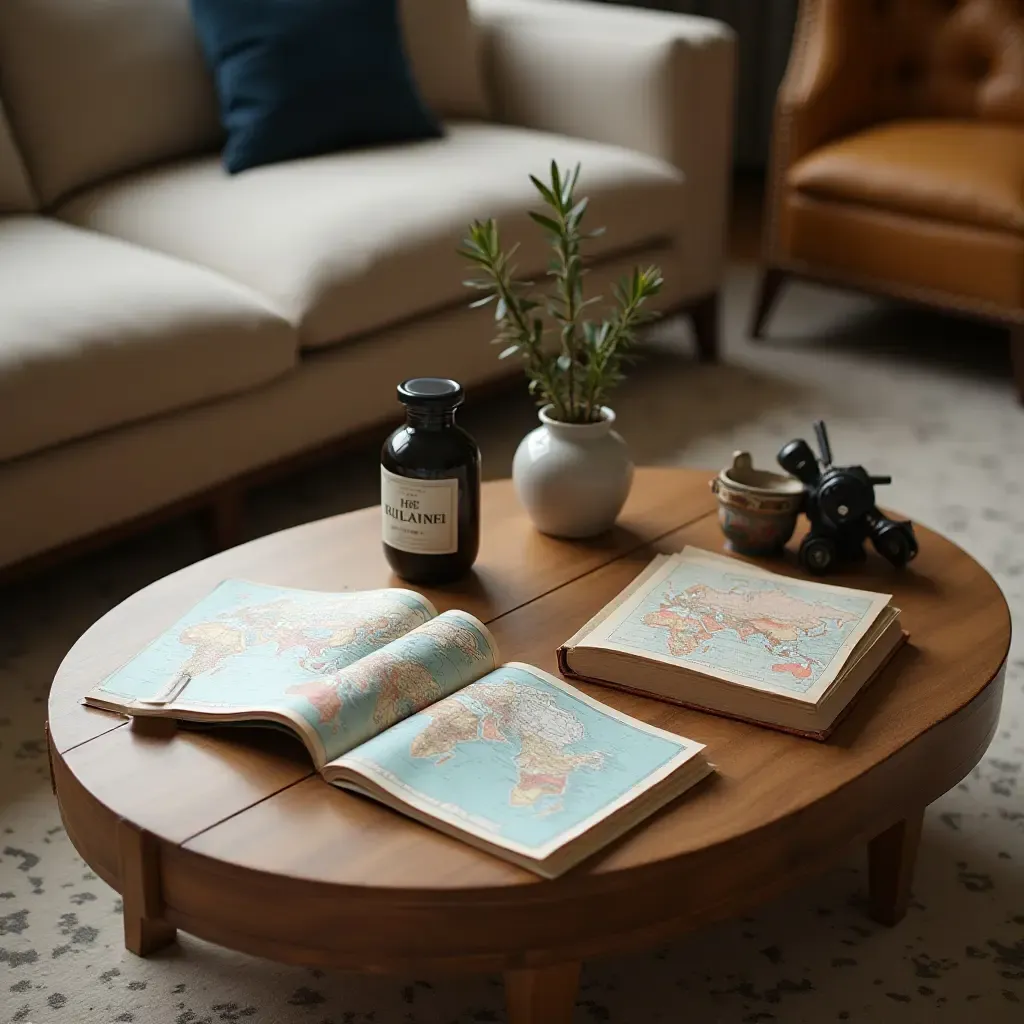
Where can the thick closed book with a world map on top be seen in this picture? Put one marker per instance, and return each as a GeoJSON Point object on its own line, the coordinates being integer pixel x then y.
{"type": "Point", "coordinates": [721, 635]}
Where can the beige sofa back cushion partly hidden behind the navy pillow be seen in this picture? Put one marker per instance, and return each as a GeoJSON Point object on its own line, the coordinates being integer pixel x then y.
{"type": "Point", "coordinates": [99, 88]}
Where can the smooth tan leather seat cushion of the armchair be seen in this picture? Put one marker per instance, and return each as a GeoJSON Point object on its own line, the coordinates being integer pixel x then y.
{"type": "Point", "coordinates": [955, 172]}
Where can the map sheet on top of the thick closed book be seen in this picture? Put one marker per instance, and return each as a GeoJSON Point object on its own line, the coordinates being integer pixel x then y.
{"type": "Point", "coordinates": [731, 621]}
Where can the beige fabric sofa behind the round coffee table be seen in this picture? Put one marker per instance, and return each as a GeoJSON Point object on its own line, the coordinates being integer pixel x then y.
{"type": "Point", "coordinates": [167, 331]}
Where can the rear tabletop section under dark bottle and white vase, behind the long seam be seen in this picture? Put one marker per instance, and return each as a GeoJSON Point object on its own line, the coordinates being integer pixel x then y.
{"type": "Point", "coordinates": [516, 566]}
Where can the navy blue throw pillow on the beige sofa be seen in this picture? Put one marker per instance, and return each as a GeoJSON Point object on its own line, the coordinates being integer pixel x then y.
{"type": "Point", "coordinates": [301, 78]}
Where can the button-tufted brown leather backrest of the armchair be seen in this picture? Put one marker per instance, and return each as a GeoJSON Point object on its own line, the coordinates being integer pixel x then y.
{"type": "Point", "coordinates": [952, 59]}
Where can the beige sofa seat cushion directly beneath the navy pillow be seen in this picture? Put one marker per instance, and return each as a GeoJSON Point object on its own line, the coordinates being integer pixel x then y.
{"type": "Point", "coordinates": [346, 244]}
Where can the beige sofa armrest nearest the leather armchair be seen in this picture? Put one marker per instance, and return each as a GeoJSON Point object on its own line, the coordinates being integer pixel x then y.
{"type": "Point", "coordinates": [652, 81]}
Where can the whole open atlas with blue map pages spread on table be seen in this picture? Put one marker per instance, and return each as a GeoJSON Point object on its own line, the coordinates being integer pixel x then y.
{"type": "Point", "coordinates": [414, 710]}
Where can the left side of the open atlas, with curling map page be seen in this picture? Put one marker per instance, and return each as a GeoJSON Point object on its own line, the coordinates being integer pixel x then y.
{"type": "Point", "coordinates": [333, 666]}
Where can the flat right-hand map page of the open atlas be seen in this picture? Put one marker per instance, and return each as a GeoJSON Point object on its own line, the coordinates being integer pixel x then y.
{"type": "Point", "coordinates": [521, 760]}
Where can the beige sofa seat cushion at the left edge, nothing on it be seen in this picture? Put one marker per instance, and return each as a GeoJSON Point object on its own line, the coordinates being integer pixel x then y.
{"type": "Point", "coordinates": [97, 333]}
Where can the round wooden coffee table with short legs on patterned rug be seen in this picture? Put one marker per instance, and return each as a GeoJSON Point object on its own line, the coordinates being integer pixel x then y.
{"type": "Point", "coordinates": [232, 837]}
